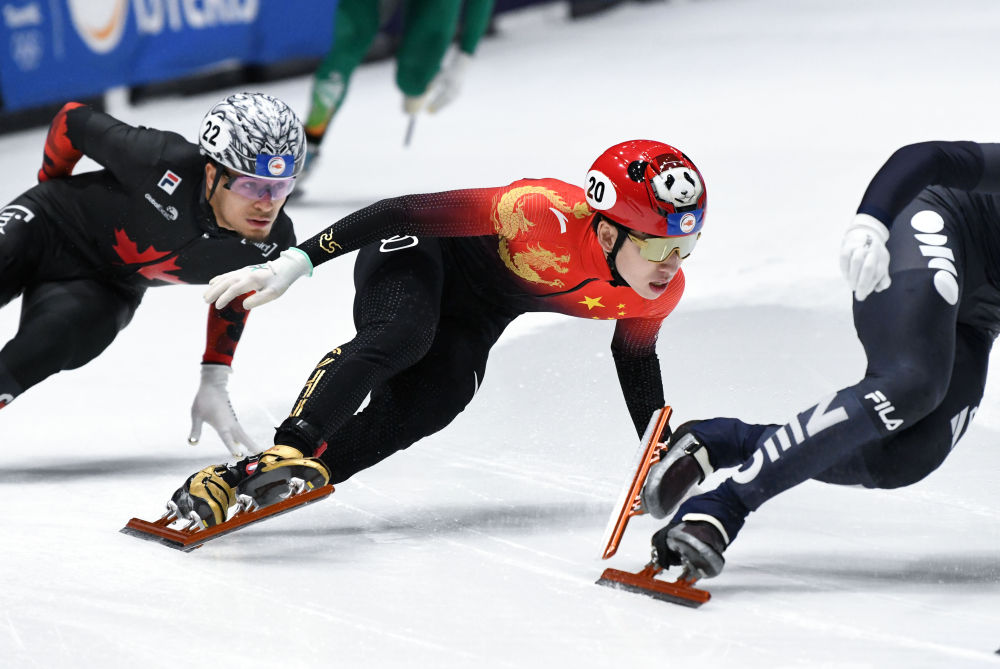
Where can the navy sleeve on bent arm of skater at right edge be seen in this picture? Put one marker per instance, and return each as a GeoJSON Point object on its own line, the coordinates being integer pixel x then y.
{"type": "Point", "coordinates": [964, 165]}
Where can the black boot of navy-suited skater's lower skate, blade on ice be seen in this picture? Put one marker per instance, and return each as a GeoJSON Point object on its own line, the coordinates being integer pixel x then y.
{"type": "Point", "coordinates": [700, 531]}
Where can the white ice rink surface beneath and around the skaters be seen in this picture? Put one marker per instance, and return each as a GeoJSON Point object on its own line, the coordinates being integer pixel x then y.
{"type": "Point", "coordinates": [479, 547]}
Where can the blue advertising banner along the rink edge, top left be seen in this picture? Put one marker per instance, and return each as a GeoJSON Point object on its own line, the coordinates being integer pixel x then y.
{"type": "Point", "coordinates": [54, 50]}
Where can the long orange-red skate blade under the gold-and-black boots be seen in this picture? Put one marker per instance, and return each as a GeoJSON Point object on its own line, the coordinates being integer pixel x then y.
{"type": "Point", "coordinates": [188, 539]}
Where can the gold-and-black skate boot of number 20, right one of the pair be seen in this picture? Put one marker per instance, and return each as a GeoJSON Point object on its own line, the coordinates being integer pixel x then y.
{"type": "Point", "coordinates": [278, 473]}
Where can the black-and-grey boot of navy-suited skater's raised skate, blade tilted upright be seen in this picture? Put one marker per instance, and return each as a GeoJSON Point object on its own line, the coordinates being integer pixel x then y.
{"type": "Point", "coordinates": [684, 465]}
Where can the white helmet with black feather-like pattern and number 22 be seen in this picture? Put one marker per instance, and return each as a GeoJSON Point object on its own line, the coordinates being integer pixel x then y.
{"type": "Point", "coordinates": [254, 134]}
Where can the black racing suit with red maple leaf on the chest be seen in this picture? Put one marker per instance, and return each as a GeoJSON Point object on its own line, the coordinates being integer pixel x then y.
{"type": "Point", "coordinates": [83, 249]}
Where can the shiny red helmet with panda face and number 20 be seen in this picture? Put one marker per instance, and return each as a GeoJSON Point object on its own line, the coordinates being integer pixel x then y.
{"type": "Point", "coordinates": [648, 186]}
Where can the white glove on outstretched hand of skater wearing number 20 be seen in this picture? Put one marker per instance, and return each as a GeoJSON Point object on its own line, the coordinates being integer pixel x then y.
{"type": "Point", "coordinates": [270, 280]}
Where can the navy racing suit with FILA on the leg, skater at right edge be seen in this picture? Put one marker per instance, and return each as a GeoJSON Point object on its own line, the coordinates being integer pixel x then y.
{"type": "Point", "coordinates": [927, 338]}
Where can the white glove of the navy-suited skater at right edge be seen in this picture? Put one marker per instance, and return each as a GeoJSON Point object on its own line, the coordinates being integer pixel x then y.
{"type": "Point", "coordinates": [864, 260]}
